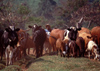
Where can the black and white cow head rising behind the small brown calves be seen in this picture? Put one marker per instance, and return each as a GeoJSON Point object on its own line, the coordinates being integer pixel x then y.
{"type": "Point", "coordinates": [72, 33]}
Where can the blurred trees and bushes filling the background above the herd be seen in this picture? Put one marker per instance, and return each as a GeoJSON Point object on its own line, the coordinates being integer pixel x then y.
{"type": "Point", "coordinates": [57, 13]}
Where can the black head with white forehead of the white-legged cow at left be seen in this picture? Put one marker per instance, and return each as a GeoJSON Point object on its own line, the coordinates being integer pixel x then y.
{"type": "Point", "coordinates": [12, 35]}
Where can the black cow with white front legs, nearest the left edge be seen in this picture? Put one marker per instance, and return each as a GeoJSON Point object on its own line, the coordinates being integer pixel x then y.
{"type": "Point", "coordinates": [9, 40]}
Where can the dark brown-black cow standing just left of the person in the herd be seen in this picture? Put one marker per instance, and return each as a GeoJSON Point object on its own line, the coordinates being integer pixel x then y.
{"type": "Point", "coordinates": [39, 37]}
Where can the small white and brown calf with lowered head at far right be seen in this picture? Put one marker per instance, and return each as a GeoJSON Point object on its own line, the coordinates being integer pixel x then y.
{"type": "Point", "coordinates": [93, 48]}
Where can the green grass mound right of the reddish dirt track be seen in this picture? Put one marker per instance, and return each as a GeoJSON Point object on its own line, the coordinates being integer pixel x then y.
{"type": "Point", "coordinates": [57, 63]}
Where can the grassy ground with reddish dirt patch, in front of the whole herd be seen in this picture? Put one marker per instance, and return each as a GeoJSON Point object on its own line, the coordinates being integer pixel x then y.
{"type": "Point", "coordinates": [52, 63]}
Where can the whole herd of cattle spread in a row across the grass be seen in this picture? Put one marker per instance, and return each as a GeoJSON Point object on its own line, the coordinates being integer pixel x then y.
{"type": "Point", "coordinates": [73, 41]}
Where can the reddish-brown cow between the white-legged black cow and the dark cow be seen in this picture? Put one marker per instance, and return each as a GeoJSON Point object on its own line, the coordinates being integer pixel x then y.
{"type": "Point", "coordinates": [25, 42]}
